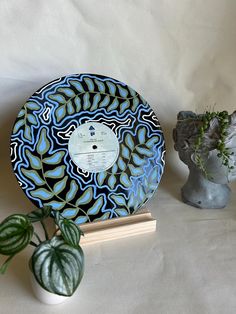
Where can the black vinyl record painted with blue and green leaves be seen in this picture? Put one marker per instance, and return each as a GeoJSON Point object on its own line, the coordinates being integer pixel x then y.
{"type": "Point", "coordinates": [89, 146]}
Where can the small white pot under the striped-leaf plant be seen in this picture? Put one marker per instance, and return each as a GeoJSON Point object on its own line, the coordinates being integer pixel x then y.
{"type": "Point", "coordinates": [45, 296]}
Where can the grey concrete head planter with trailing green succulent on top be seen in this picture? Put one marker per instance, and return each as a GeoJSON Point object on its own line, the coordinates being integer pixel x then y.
{"type": "Point", "coordinates": [206, 143]}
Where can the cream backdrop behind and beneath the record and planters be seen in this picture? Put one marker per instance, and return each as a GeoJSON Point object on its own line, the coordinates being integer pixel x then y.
{"type": "Point", "coordinates": [179, 54]}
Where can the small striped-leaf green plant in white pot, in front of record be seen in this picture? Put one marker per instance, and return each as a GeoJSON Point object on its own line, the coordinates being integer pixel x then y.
{"type": "Point", "coordinates": [57, 263]}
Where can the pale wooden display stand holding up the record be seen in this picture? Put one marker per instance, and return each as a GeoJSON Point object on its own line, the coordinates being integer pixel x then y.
{"type": "Point", "coordinates": [118, 228]}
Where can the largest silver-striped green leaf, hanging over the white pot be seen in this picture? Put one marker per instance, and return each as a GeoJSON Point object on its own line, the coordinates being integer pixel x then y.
{"type": "Point", "coordinates": [57, 266]}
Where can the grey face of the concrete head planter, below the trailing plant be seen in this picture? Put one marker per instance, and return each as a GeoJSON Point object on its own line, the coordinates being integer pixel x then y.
{"type": "Point", "coordinates": [218, 173]}
